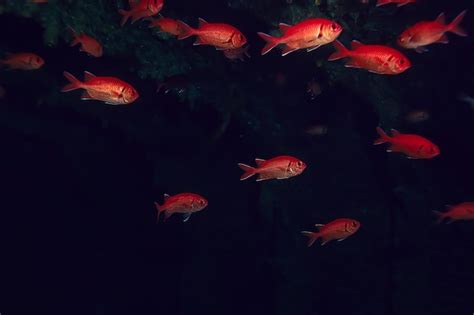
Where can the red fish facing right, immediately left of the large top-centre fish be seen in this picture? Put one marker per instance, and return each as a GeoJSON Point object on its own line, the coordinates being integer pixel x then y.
{"type": "Point", "coordinates": [222, 36]}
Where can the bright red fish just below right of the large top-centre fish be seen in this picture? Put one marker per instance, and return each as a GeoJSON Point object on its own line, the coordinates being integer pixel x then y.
{"type": "Point", "coordinates": [374, 58]}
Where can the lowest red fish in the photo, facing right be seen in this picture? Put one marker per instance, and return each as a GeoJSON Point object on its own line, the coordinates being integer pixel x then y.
{"type": "Point", "coordinates": [339, 229]}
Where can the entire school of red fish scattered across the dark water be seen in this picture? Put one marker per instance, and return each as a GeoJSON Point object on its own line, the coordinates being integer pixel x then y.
{"type": "Point", "coordinates": [308, 34]}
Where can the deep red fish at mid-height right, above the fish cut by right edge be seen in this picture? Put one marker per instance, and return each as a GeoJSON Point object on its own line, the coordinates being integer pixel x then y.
{"type": "Point", "coordinates": [414, 146]}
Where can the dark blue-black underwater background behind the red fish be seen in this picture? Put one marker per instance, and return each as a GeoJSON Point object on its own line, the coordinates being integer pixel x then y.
{"type": "Point", "coordinates": [78, 223]}
